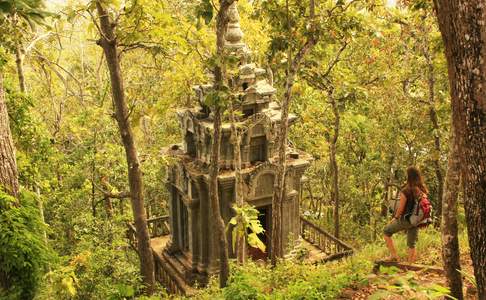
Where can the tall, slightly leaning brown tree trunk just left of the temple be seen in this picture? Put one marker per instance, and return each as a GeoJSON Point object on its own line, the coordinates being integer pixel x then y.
{"type": "Point", "coordinates": [108, 43]}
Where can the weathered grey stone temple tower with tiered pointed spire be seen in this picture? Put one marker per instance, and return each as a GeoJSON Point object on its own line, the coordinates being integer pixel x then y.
{"type": "Point", "coordinates": [193, 247]}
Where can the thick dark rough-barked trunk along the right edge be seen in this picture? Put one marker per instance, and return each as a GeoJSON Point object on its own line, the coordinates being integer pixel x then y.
{"type": "Point", "coordinates": [464, 33]}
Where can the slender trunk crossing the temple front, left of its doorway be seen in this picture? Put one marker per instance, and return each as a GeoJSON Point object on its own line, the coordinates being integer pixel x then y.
{"type": "Point", "coordinates": [219, 81]}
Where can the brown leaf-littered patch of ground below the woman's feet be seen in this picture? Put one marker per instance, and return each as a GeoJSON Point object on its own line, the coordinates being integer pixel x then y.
{"type": "Point", "coordinates": [396, 283]}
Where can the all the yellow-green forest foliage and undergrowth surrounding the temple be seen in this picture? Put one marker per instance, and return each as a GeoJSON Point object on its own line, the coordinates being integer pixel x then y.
{"type": "Point", "coordinates": [67, 140]}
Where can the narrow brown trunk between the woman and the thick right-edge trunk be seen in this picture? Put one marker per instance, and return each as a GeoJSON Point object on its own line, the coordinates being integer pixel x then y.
{"type": "Point", "coordinates": [450, 241]}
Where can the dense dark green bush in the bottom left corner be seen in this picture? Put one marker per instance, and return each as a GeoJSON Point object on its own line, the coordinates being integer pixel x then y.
{"type": "Point", "coordinates": [24, 255]}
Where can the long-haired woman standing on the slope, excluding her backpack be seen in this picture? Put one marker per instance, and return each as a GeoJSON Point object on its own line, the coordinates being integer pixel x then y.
{"type": "Point", "coordinates": [412, 190]}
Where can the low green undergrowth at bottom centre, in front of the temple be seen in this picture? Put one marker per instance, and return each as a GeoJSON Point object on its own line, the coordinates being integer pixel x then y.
{"type": "Point", "coordinates": [290, 280]}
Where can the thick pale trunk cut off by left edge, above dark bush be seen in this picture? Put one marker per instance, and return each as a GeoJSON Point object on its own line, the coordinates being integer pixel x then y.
{"type": "Point", "coordinates": [9, 178]}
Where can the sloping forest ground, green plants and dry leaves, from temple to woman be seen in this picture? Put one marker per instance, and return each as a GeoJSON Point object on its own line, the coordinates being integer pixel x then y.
{"type": "Point", "coordinates": [353, 277]}
